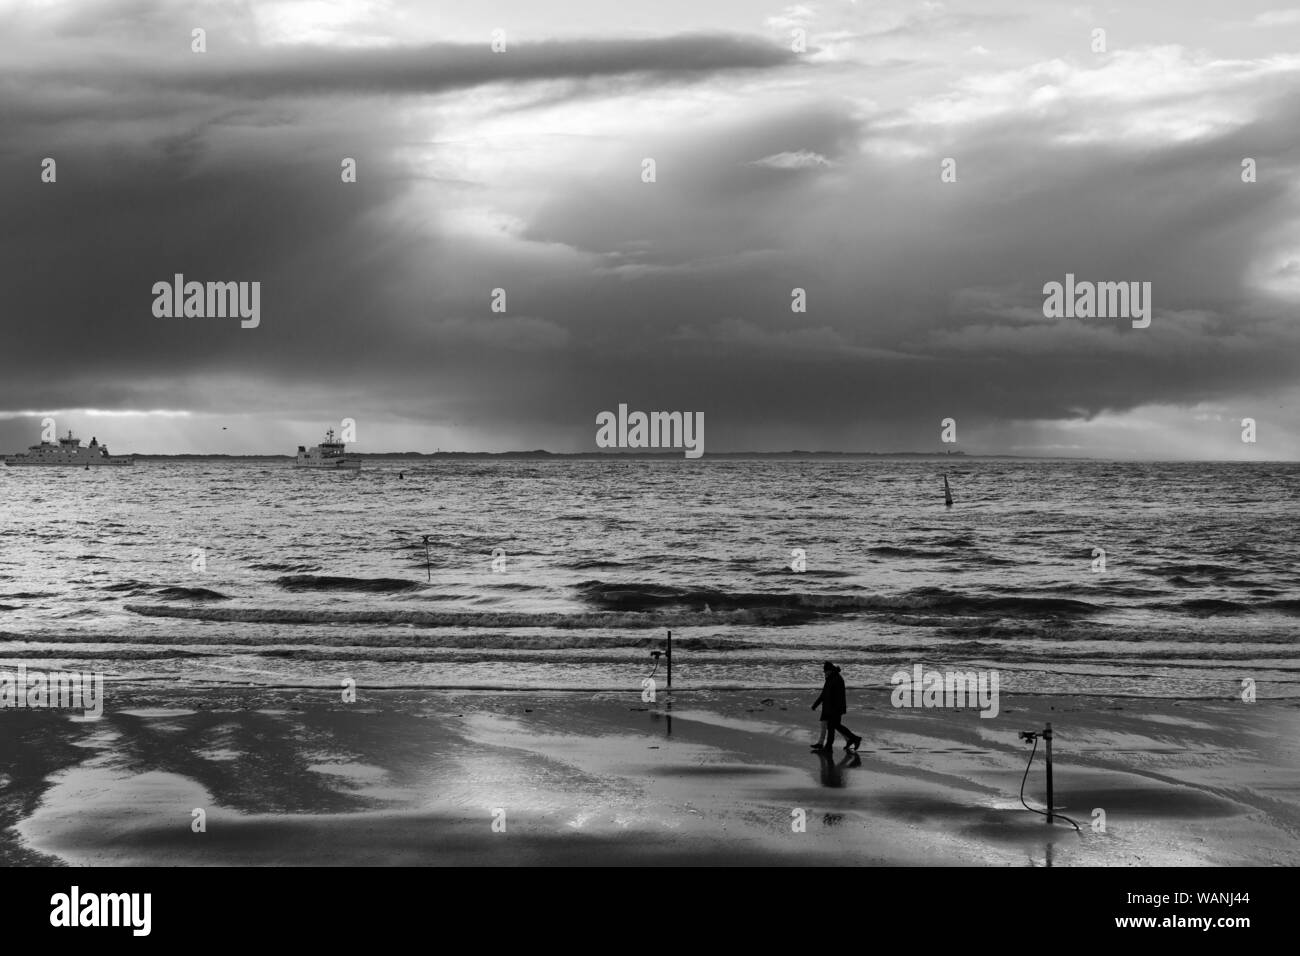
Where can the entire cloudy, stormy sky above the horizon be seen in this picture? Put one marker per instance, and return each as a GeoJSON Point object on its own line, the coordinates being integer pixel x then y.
{"type": "Point", "coordinates": [774, 170]}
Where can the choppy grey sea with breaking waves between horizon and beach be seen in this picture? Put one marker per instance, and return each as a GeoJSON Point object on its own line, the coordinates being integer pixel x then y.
{"type": "Point", "coordinates": [311, 578]}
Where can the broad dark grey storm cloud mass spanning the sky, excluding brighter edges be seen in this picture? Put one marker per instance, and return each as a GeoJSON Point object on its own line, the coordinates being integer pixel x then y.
{"type": "Point", "coordinates": [925, 299]}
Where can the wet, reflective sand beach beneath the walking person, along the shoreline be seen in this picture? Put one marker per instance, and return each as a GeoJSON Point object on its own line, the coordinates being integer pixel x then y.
{"type": "Point", "coordinates": [296, 777]}
